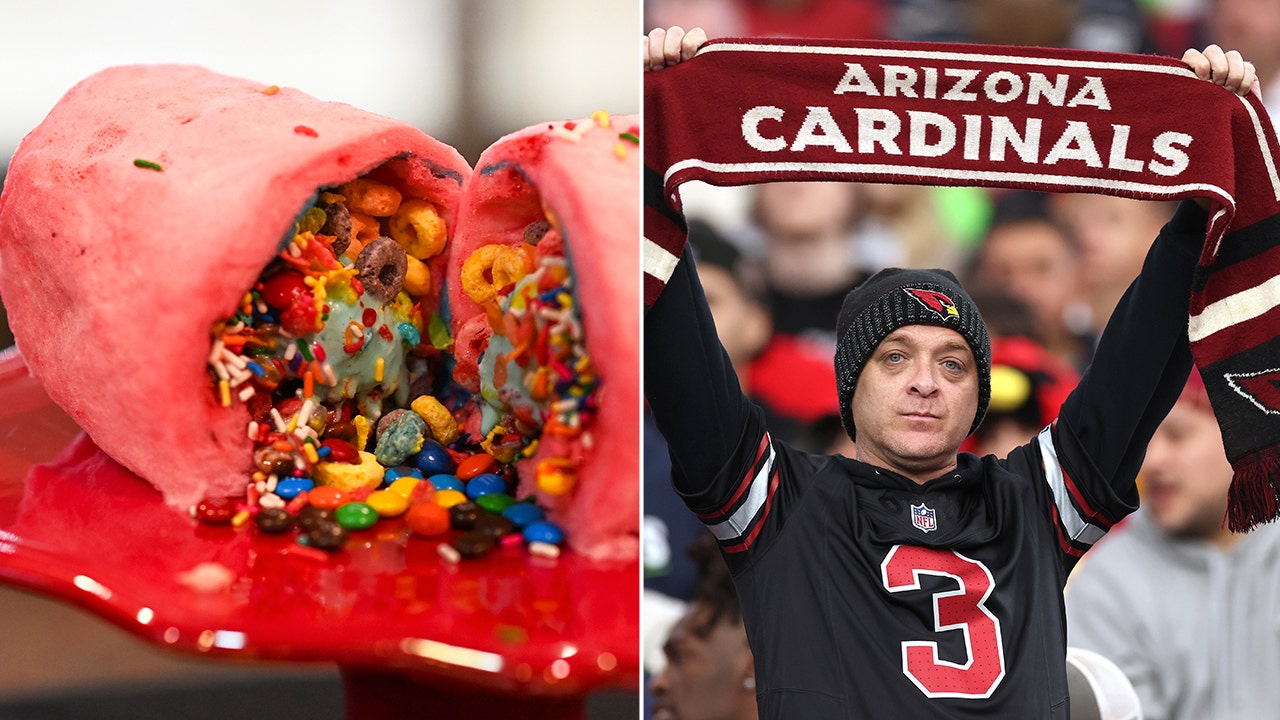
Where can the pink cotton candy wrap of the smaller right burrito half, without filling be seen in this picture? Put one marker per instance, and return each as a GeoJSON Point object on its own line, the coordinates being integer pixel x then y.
{"type": "Point", "coordinates": [589, 179]}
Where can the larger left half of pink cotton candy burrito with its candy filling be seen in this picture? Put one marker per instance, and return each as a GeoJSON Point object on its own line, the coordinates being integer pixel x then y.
{"type": "Point", "coordinates": [164, 218]}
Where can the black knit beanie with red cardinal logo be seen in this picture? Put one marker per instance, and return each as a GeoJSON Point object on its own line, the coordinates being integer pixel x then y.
{"type": "Point", "coordinates": [895, 298]}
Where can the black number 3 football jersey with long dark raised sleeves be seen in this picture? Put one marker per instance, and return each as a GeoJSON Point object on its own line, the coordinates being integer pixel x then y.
{"type": "Point", "coordinates": [870, 596]}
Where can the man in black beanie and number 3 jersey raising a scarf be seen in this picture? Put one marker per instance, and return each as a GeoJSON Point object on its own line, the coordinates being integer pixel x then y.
{"type": "Point", "coordinates": [911, 581]}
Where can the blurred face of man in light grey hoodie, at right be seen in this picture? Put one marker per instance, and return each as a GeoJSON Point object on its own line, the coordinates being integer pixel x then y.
{"type": "Point", "coordinates": [1187, 475]}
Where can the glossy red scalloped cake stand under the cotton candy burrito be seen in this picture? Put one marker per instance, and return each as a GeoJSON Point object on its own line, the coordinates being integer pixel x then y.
{"type": "Point", "coordinates": [509, 631]}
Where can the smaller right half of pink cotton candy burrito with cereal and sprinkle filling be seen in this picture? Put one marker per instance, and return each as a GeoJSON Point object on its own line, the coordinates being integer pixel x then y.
{"type": "Point", "coordinates": [545, 300]}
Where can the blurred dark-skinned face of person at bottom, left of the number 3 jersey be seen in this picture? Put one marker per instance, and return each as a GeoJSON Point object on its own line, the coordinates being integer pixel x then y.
{"type": "Point", "coordinates": [705, 676]}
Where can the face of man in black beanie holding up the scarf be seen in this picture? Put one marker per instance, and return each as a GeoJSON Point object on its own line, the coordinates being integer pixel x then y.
{"type": "Point", "coordinates": [916, 402]}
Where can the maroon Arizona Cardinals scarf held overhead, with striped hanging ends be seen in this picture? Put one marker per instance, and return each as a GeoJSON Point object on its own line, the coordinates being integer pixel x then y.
{"type": "Point", "coordinates": [760, 111]}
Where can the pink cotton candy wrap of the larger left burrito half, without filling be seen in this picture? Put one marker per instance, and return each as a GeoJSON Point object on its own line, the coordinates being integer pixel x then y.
{"type": "Point", "coordinates": [113, 274]}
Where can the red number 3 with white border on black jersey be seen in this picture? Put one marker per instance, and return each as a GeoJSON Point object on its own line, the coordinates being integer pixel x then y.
{"type": "Point", "coordinates": [962, 609]}
